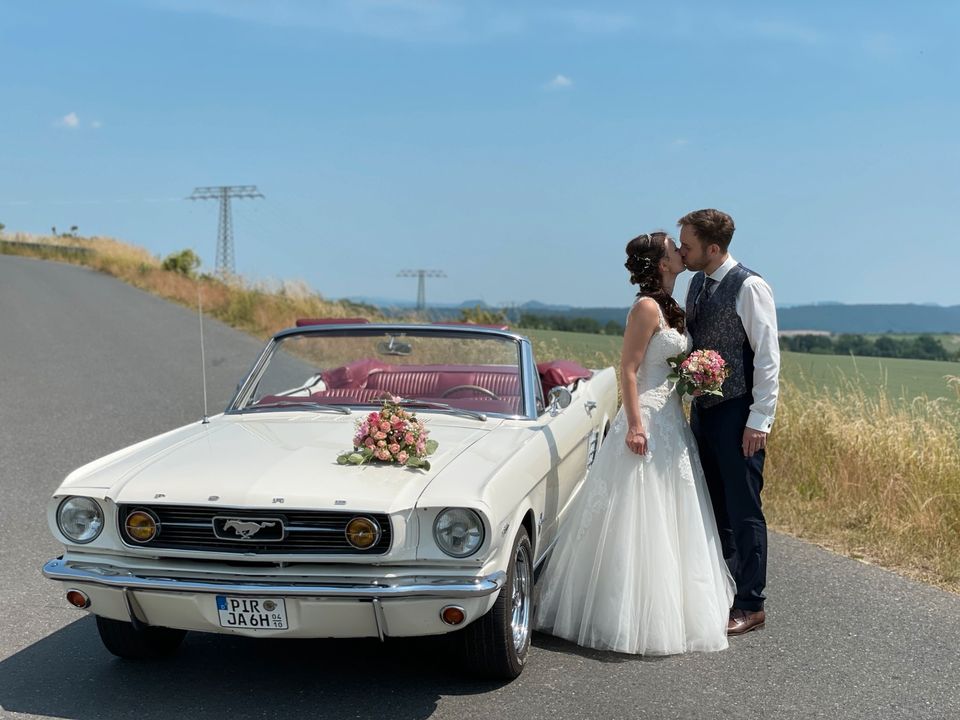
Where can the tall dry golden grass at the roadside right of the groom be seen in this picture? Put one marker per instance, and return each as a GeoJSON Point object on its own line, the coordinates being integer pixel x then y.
{"type": "Point", "coordinates": [873, 478]}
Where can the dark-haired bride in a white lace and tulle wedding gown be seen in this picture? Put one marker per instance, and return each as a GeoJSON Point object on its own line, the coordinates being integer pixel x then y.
{"type": "Point", "coordinates": [639, 568]}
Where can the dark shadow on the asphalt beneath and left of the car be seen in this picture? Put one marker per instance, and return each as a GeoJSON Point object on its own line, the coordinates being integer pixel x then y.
{"type": "Point", "coordinates": [69, 674]}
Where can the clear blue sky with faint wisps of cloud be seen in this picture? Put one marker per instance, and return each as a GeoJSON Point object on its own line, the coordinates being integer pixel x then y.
{"type": "Point", "coordinates": [517, 146]}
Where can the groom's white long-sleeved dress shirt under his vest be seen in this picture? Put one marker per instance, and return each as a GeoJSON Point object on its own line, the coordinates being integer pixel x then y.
{"type": "Point", "coordinates": [757, 312]}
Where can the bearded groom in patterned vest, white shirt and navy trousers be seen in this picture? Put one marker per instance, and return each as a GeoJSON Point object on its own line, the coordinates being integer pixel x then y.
{"type": "Point", "coordinates": [730, 309]}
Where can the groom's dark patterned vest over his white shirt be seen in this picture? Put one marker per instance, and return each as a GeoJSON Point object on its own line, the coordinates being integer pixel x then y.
{"type": "Point", "coordinates": [714, 325]}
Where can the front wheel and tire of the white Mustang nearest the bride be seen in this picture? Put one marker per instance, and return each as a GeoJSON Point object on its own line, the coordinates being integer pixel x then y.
{"type": "Point", "coordinates": [496, 645]}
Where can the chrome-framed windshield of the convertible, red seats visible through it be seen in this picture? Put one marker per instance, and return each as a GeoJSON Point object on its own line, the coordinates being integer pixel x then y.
{"type": "Point", "coordinates": [323, 371]}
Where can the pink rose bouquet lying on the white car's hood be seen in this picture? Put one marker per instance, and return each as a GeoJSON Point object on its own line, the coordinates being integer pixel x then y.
{"type": "Point", "coordinates": [391, 435]}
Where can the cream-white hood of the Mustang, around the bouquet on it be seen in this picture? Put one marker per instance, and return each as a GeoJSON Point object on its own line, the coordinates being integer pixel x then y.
{"type": "Point", "coordinates": [281, 460]}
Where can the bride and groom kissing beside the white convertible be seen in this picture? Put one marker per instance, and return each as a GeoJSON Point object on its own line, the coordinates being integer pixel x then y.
{"type": "Point", "coordinates": [665, 549]}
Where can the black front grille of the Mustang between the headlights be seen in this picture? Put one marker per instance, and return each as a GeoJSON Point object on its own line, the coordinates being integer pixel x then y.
{"type": "Point", "coordinates": [186, 527]}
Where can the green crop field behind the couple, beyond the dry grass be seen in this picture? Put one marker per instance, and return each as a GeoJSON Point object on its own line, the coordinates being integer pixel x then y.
{"type": "Point", "coordinates": [899, 378]}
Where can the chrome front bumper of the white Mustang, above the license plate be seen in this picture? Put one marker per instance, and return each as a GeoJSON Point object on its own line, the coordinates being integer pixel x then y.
{"type": "Point", "coordinates": [383, 588]}
